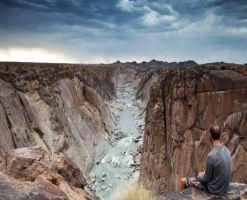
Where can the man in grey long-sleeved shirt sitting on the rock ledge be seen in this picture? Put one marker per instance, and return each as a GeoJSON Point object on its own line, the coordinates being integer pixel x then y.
{"type": "Point", "coordinates": [217, 176]}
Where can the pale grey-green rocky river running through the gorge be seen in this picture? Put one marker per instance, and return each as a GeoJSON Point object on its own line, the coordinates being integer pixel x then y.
{"type": "Point", "coordinates": [120, 166]}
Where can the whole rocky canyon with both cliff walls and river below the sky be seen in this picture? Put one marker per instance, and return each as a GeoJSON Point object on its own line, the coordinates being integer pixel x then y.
{"type": "Point", "coordinates": [75, 131]}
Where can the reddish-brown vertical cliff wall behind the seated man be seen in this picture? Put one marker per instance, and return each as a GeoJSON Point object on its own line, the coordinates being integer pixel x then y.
{"type": "Point", "coordinates": [183, 103]}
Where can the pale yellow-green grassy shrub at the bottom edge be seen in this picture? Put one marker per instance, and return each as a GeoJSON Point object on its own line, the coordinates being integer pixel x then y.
{"type": "Point", "coordinates": [134, 192]}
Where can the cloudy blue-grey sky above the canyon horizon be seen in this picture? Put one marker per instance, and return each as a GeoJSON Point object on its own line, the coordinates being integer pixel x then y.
{"type": "Point", "coordinates": [104, 31]}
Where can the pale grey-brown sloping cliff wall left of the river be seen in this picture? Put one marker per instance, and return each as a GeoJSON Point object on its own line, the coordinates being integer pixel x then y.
{"type": "Point", "coordinates": [62, 108]}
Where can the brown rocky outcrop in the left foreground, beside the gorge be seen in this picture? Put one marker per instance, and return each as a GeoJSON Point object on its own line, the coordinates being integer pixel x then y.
{"type": "Point", "coordinates": [32, 173]}
